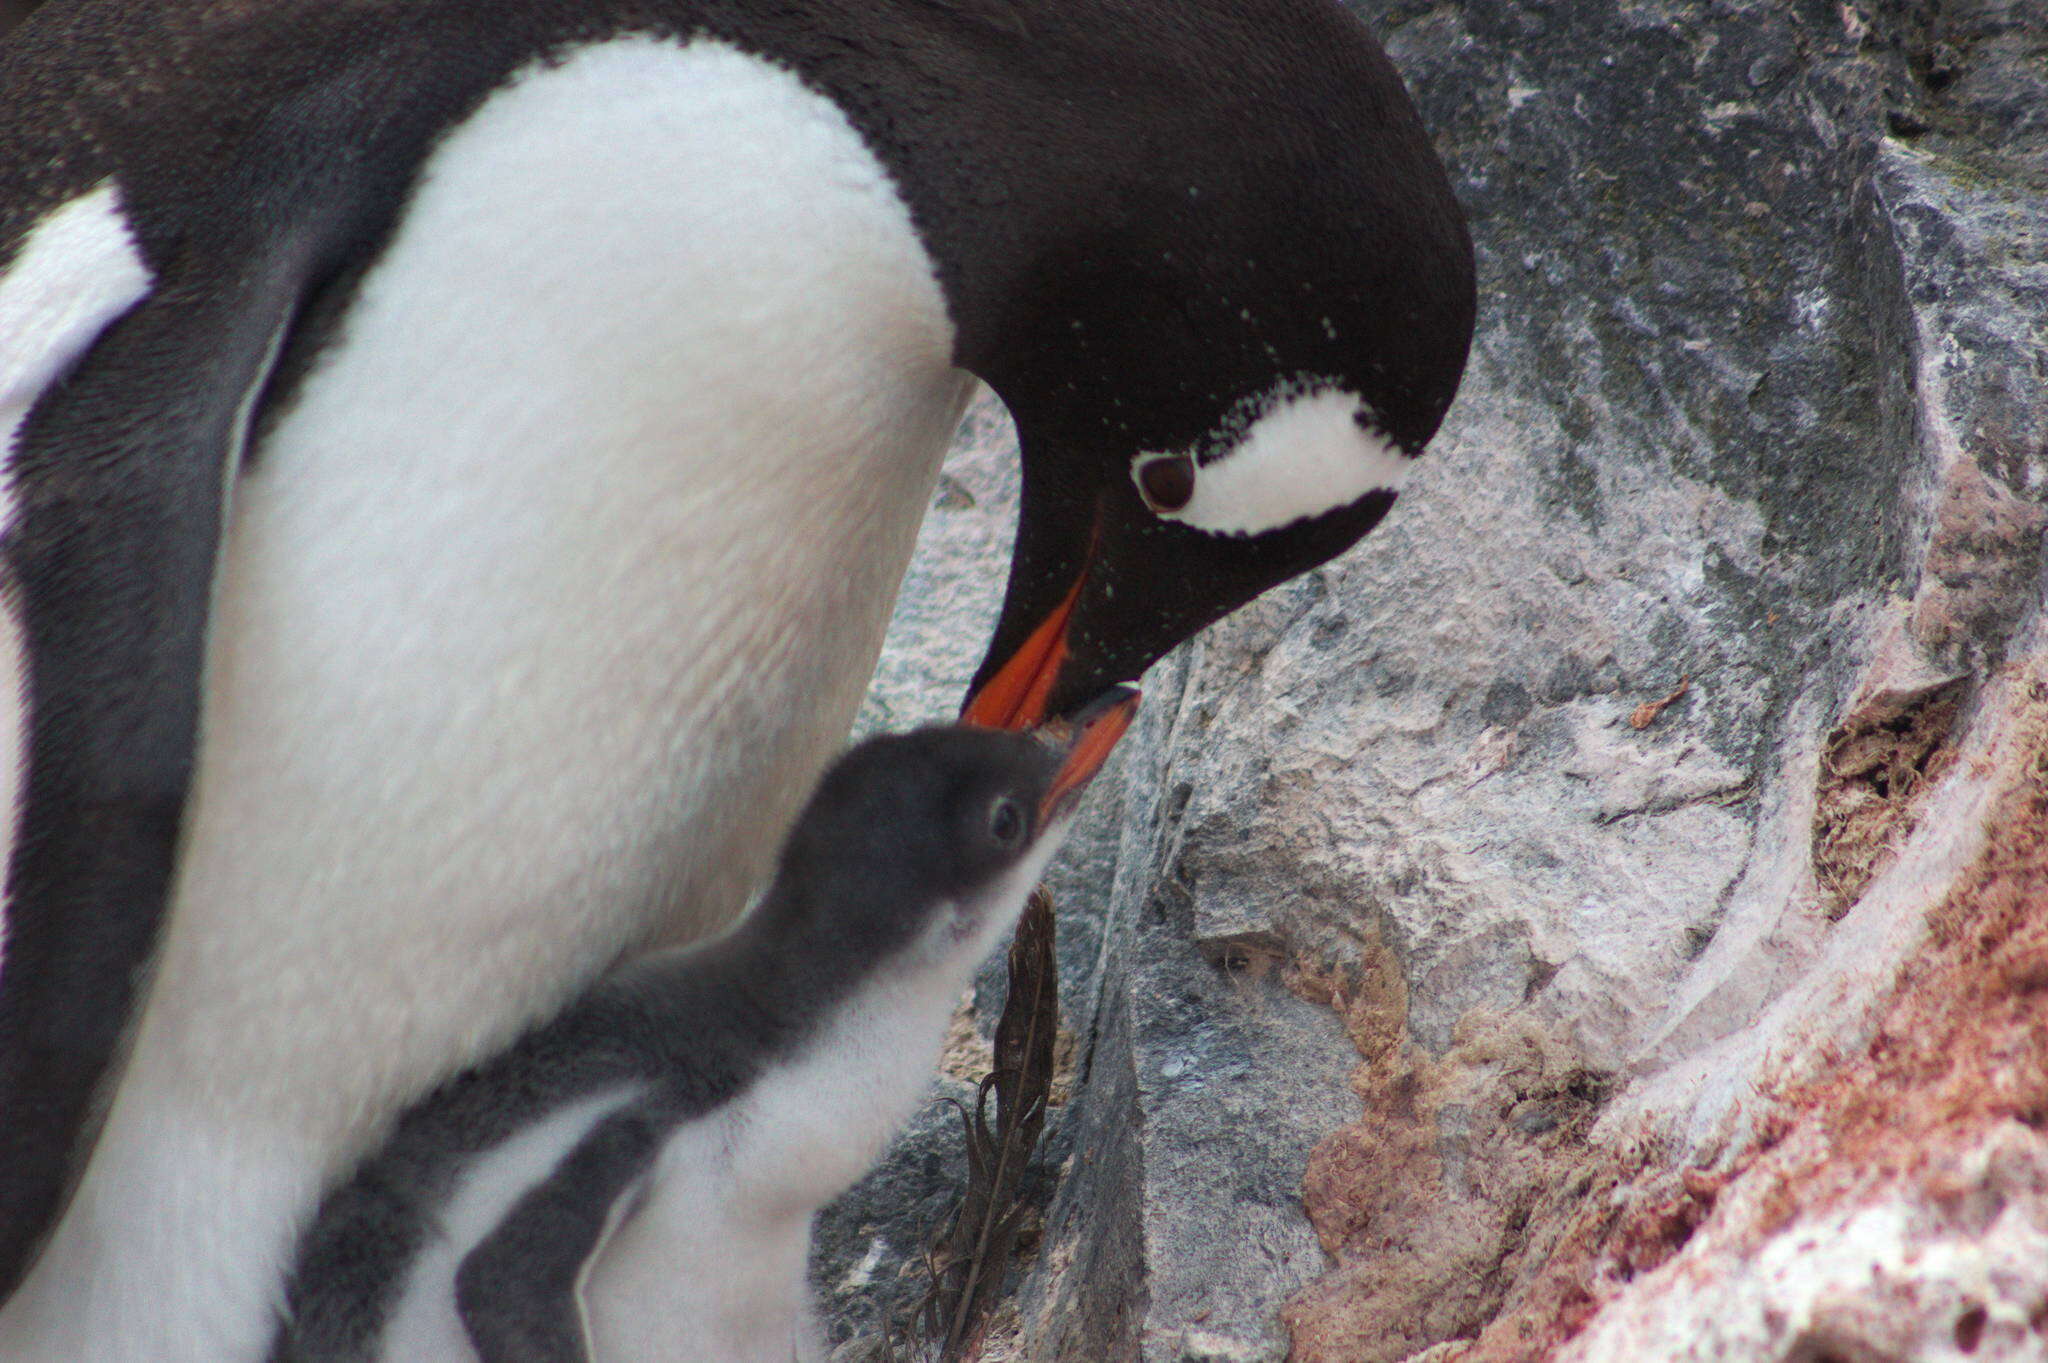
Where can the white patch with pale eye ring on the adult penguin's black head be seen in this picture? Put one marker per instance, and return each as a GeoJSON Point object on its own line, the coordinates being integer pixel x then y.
{"type": "Point", "coordinates": [1304, 457]}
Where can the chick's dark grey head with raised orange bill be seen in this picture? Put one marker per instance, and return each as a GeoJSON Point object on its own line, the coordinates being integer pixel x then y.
{"type": "Point", "coordinates": [935, 838]}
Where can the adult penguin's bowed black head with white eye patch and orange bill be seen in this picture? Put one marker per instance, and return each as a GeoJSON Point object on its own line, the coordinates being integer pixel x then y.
{"type": "Point", "coordinates": [1224, 365]}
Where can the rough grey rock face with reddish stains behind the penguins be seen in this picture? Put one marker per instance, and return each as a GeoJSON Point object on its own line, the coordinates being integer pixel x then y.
{"type": "Point", "coordinates": [1607, 914]}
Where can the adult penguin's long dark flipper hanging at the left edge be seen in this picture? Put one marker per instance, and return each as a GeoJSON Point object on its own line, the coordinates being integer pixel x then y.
{"type": "Point", "coordinates": [122, 480]}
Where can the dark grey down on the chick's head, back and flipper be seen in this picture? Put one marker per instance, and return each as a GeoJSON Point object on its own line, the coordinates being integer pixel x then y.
{"type": "Point", "coordinates": [896, 838]}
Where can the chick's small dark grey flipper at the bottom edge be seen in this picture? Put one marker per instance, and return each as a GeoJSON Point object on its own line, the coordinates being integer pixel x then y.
{"type": "Point", "coordinates": [519, 1290]}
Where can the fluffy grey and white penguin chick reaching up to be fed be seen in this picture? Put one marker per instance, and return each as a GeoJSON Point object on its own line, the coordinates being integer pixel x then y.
{"type": "Point", "coordinates": [638, 1178]}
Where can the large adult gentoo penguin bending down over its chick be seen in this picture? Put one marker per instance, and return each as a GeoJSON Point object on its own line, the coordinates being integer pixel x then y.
{"type": "Point", "coordinates": [450, 439]}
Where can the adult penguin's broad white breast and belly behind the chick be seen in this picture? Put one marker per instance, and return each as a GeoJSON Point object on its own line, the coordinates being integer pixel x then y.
{"type": "Point", "coordinates": [538, 615]}
